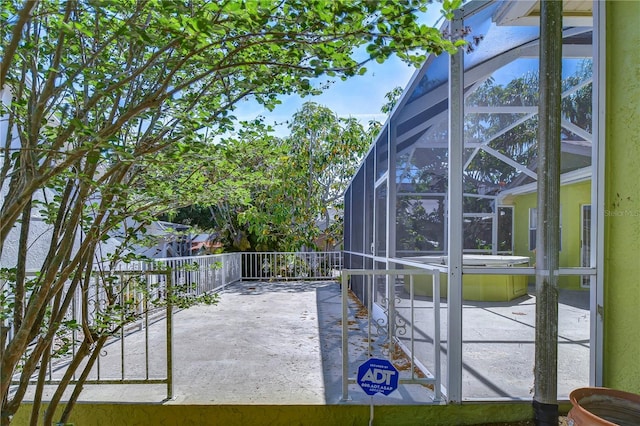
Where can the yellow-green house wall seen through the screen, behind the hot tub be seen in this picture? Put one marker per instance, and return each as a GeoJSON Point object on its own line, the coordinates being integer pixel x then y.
{"type": "Point", "coordinates": [572, 198]}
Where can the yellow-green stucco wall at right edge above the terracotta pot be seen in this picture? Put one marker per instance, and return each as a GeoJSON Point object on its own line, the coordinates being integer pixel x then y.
{"type": "Point", "coordinates": [622, 197]}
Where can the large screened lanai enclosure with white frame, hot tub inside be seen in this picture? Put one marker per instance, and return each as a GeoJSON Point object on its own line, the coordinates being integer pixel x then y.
{"type": "Point", "coordinates": [450, 185]}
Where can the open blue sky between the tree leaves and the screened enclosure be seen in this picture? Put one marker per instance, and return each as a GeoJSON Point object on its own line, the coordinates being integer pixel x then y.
{"type": "Point", "coordinates": [360, 96]}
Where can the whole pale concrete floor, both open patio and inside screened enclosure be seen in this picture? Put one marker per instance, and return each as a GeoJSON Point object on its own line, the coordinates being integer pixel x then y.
{"type": "Point", "coordinates": [281, 343]}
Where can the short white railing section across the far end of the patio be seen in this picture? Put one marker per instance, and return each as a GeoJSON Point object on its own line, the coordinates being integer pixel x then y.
{"type": "Point", "coordinates": [275, 266]}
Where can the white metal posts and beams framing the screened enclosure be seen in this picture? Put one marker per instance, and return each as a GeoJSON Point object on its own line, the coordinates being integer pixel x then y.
{"type": "Point", "coordinates": [453, 237]}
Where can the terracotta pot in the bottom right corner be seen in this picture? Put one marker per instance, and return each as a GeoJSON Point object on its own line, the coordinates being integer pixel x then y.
{"type": "Point", "coordinates": [602, 406]}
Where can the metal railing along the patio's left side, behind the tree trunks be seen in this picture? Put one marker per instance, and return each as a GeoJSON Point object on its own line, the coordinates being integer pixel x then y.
{"type": "Point", "coordinates": [145, 292]}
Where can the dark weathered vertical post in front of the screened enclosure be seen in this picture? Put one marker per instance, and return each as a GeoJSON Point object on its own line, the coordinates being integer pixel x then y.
{"type": "Point", "coordinates": [545, 400]}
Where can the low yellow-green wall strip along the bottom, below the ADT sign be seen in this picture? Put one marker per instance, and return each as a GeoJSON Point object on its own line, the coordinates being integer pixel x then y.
{"type": "Point", "coordinates": [286, 415]}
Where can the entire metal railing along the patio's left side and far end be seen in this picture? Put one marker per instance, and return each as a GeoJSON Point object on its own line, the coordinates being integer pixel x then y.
{"type": "Point", "coordinates": [147, 292]}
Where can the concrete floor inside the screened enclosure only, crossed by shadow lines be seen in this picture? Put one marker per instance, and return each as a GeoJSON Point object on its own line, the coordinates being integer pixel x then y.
{"type": "Point", "coordinates": [498, 344]}
